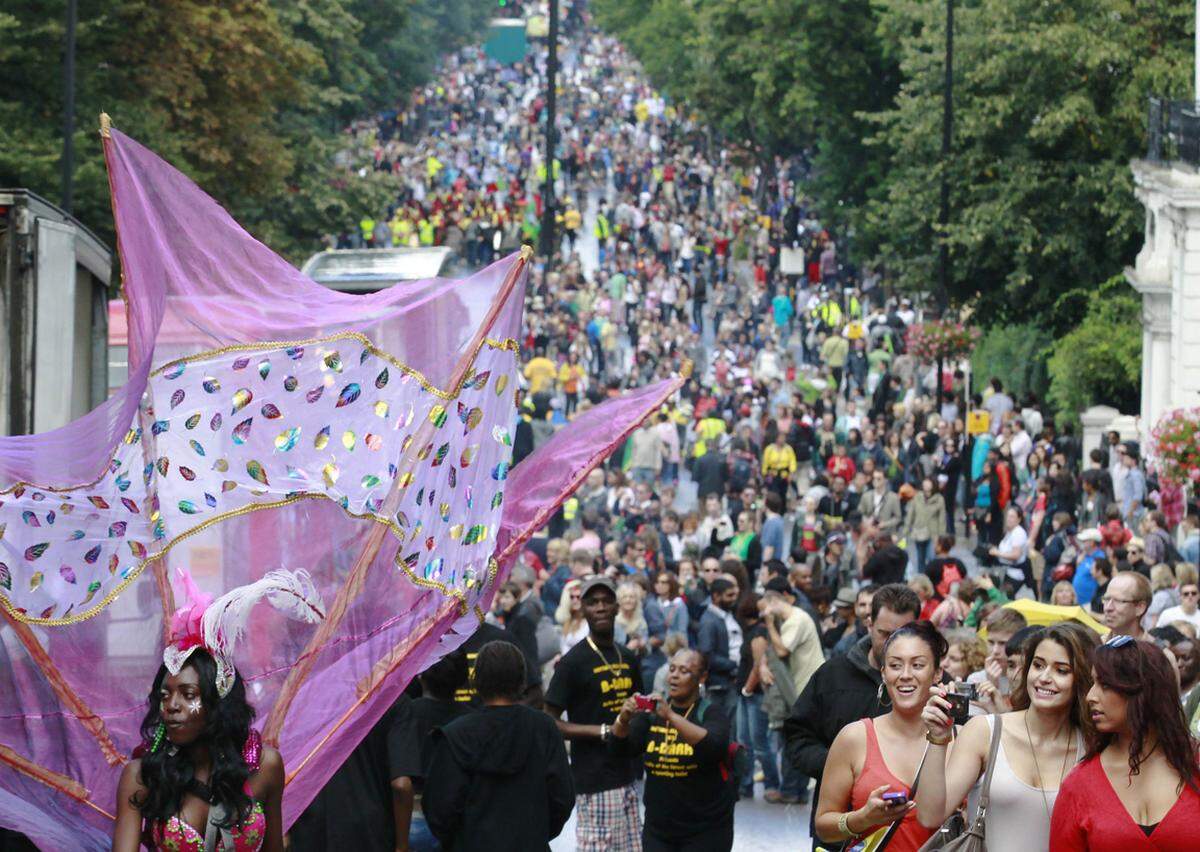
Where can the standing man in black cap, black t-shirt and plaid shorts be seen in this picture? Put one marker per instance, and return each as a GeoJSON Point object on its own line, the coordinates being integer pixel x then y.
{"type": "Point", "coordinates": [591, 683]}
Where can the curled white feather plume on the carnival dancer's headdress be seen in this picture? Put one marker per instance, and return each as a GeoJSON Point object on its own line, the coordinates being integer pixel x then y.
{"type": "Point", "coordinates": [292, 593]}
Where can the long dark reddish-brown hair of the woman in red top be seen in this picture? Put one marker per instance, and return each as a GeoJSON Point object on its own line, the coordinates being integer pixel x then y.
{"type": "Point", "coordinates": [1142, 673]}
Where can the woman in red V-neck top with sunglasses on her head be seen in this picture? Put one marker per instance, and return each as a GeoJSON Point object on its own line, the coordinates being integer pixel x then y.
{"type": "Point", "coordinates": [1139, 788]}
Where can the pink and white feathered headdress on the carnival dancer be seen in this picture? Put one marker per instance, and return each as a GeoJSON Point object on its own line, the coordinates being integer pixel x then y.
{"type": "Point", "coordinates": [217, 626]}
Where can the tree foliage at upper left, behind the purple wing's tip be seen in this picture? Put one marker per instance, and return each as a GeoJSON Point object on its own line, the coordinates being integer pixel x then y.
{"type": "Point", "coordinates": [249, 98]}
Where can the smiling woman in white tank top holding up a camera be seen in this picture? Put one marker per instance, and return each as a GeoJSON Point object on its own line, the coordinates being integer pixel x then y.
{"type": "Point", "coordinates": [1041, 742]}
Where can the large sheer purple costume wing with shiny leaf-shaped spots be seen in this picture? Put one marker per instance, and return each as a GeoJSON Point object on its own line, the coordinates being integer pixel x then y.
{"type": "Point", "coordinates": [269, 424]}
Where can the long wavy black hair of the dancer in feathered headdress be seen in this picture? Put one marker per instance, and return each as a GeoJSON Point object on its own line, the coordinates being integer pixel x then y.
{"type": "Point", "coordinates": [166, 777]}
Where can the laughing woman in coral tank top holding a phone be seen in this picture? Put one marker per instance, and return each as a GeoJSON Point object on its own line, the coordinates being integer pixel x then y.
{"type": "Point", "coordinates": [869, 775]}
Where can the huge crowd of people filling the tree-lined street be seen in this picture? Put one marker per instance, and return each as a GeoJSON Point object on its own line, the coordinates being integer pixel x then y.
{"type": "Point", "coordinates": [807, 572]}
